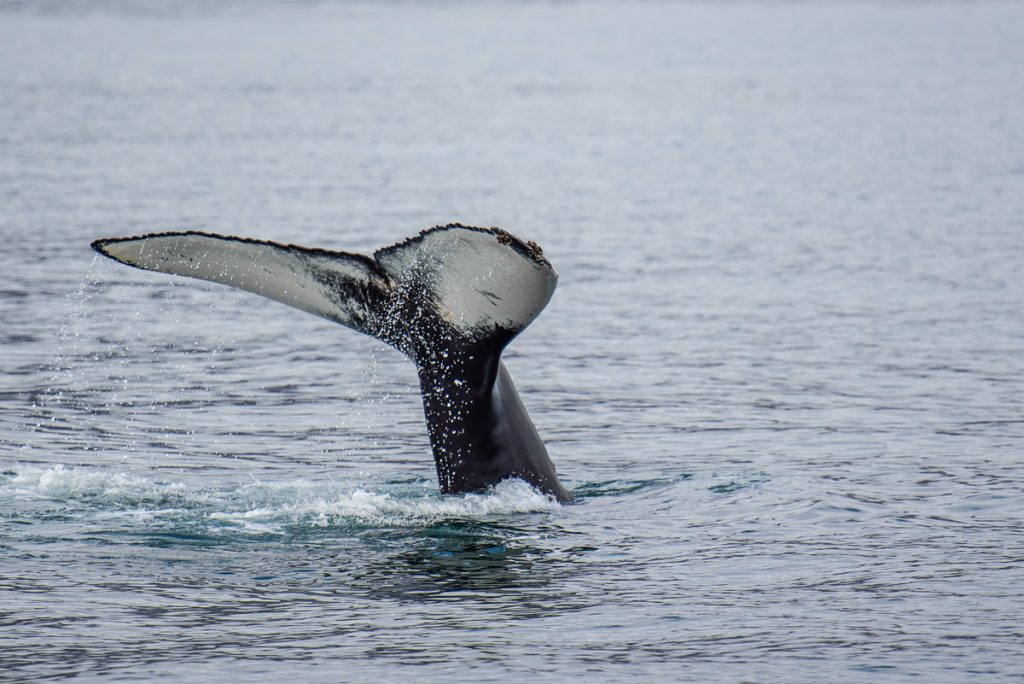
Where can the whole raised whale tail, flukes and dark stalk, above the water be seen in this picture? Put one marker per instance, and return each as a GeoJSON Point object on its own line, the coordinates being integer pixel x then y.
{"type": "Point", "coordinates": [451, 298]}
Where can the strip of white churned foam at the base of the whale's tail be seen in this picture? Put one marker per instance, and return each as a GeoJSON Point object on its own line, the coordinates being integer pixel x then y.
{"type": "Point", "coordinates": [267, 507]}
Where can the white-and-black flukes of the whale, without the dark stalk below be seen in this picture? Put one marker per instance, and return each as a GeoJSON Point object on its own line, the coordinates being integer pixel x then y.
{"type": "Point", "coordinates": [451, 285]}
